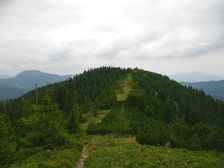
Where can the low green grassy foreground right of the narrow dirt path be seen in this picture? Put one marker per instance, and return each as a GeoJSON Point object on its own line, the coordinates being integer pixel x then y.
{"type": "Point", "coordinates": [116, 152]}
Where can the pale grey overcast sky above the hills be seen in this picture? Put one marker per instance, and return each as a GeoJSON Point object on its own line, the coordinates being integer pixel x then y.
{"type": "Point", "coordinates": [68, 36]}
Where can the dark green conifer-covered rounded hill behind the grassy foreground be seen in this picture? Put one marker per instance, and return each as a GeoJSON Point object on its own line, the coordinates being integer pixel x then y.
{"type": "Point", "coordinates": [147, 105]}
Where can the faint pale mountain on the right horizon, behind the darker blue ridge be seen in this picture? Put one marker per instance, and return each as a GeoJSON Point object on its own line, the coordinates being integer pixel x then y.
{"type": "Point", "coordinates": [194, 77]}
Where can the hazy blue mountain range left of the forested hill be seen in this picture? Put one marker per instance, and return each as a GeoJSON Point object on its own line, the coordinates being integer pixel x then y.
{"type": "Point", "coordinates": [12, 87]}
